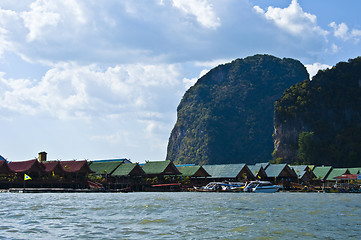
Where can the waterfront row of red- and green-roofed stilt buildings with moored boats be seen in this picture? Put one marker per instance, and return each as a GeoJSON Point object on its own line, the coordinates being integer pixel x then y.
{"type": "Point", "coordinates": [121, 175]}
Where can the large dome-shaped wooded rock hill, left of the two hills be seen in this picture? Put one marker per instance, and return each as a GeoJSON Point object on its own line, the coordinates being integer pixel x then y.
{"type": "Point", "coordinates": [227, 116]}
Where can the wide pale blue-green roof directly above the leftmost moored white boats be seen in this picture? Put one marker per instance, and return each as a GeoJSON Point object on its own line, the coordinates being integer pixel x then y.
{"type": "Point", "coordinates": [224, 170]}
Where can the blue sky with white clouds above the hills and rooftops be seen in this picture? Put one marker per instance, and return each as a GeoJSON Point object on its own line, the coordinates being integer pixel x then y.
{"type": "Point", "coordinates": [86, 79]}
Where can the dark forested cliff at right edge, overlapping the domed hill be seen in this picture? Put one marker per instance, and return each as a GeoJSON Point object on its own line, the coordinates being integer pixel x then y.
{"type": "Point", "coordinates": [319, 121]}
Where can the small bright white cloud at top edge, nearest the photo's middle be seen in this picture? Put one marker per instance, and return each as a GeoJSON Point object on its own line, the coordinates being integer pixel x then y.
{"type": "Point", "coordinates": [201, 9]}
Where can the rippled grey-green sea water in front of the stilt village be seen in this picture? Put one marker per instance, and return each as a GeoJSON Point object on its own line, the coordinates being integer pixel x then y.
{"type": "Point", "coordinates": [183, 215]}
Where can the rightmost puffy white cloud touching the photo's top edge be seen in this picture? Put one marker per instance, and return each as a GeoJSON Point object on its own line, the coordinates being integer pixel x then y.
{"type": "Point", "coordinates": [293, 20]}
